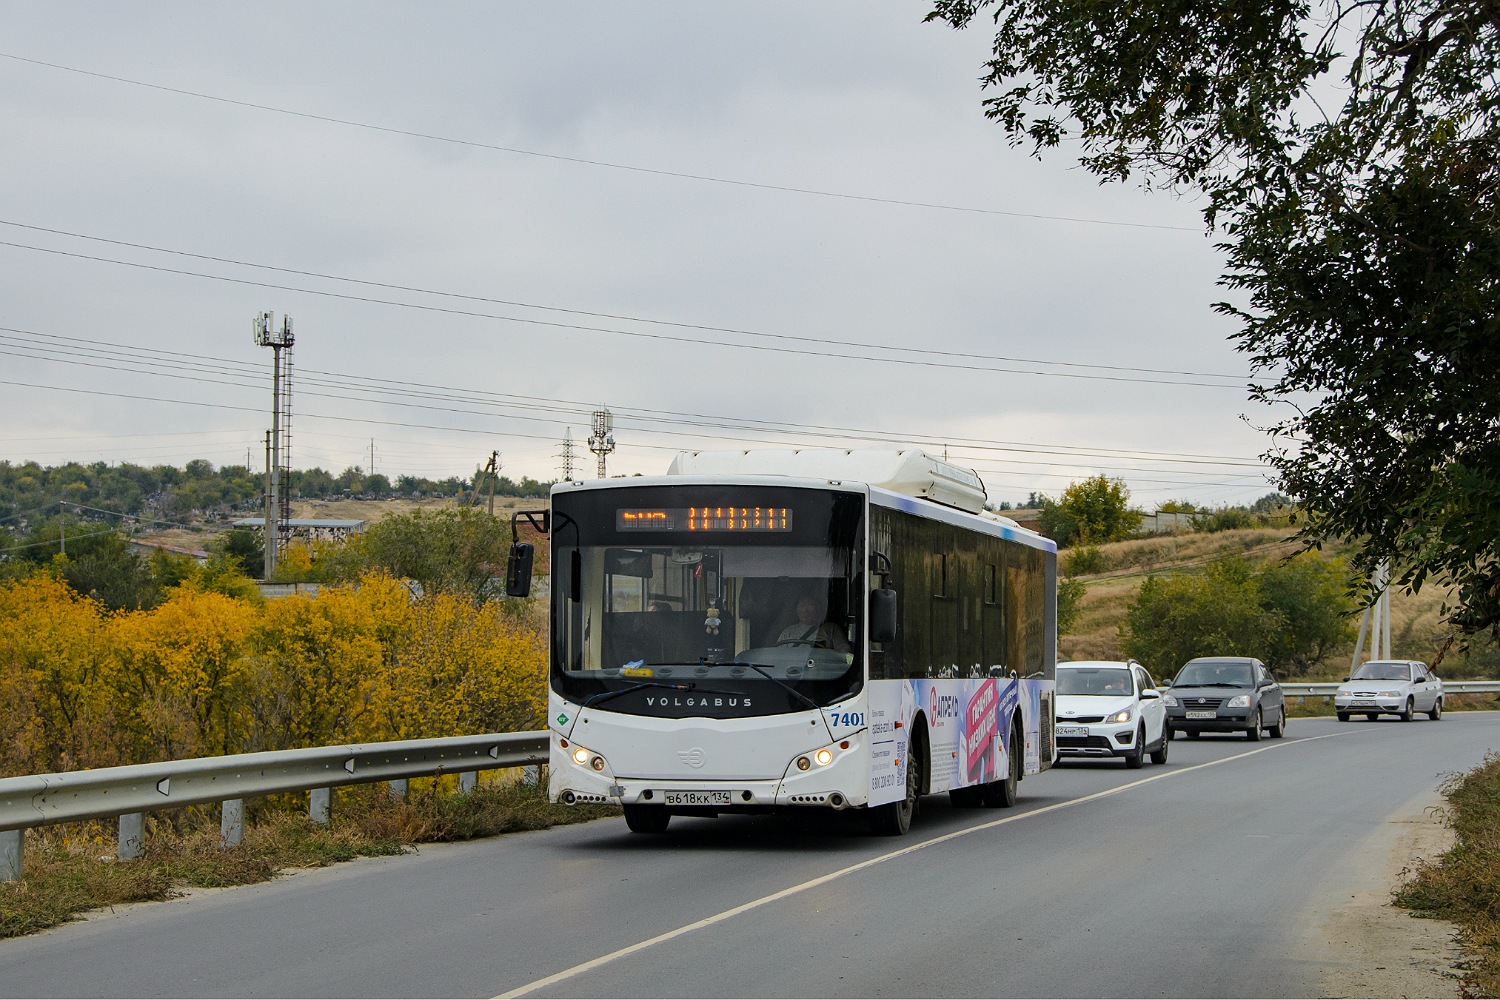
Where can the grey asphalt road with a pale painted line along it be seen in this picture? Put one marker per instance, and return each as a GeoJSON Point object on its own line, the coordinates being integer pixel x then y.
{"type": "Point", "coordinates": [1186, 879]}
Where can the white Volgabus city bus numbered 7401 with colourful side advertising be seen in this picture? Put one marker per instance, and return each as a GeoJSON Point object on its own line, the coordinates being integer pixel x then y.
{"type": "Point", "coordinates": [769, 630]}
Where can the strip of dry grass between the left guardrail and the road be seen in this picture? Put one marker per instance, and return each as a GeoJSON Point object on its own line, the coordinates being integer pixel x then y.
{"type": "Point", "coordinates": [70, 870]}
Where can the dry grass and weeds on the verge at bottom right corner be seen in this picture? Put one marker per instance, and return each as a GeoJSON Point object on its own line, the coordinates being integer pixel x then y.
{"type": "Point", "coordinates": [1463, 885]}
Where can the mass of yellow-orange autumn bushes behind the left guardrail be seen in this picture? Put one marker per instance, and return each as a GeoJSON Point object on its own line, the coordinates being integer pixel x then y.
{"type": "Point", "coordinates": [211, 674]}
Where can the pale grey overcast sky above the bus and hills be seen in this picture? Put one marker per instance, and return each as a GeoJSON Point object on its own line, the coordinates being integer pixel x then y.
{"type": "Point", "coordinates": [490, 220]}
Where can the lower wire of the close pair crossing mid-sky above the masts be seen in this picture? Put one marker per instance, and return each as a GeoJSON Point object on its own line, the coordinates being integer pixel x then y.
{"type": "Point", "coordinates": [578, 328]}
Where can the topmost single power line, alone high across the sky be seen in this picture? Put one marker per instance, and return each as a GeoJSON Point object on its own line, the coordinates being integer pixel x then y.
{"type": "Point", "coordinates": [593, 163]}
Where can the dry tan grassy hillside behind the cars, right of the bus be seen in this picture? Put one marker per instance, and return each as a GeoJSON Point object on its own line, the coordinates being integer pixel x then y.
{"type": "Point", "coordinates": [1417, 630]}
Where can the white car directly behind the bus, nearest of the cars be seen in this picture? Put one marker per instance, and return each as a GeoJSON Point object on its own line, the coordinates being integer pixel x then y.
{"type": "Point", "coordinates": [1111, 708]}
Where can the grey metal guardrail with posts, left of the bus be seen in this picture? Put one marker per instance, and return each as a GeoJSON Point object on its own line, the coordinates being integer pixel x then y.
{"type": "Point", "coordinates": [133, 791]}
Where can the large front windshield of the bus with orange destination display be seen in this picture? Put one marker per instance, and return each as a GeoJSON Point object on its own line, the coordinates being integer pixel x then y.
{"type": "Point", "coordinates": [718, 602]}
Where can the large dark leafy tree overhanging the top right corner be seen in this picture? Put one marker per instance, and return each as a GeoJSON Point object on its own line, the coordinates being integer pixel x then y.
{"type": "Point", "coordinates": [1346, 154]}
